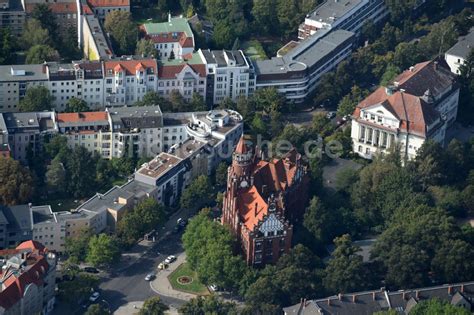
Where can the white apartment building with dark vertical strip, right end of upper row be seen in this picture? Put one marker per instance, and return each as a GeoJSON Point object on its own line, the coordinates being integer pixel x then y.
{"type": "Point", "coordinates": [229, 75]}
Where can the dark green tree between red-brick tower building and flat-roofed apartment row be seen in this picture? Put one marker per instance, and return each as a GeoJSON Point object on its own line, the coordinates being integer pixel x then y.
{"type": "Point", "coordinates": [198, 194]}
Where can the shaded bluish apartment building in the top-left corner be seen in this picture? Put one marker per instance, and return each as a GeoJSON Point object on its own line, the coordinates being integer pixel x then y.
{"type": "Point", "coordinates": [12, 15]}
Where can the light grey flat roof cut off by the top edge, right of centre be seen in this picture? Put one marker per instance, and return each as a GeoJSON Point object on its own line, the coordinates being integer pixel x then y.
{"type": "Point", "coordinates": [332, 10]}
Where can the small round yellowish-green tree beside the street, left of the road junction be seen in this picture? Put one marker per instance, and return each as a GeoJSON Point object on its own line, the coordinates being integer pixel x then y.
{"type": "Point", "coordinates": [103, 250]}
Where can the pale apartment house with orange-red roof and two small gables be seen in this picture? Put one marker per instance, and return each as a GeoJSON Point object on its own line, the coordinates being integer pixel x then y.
{"type": "Point", "coordinates": [127, 80]}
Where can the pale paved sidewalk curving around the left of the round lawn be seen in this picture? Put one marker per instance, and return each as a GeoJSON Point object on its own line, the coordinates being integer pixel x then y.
{"type": "Point", "coordinates": [162, 286]}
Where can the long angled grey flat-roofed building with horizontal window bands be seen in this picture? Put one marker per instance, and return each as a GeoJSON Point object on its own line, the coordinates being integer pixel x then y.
{"type": "Point", "coordinates": [296, 74]}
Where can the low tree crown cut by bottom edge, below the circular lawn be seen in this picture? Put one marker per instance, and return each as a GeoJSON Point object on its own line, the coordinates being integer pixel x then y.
{"type": "Point", "coordinates": [207, 305]}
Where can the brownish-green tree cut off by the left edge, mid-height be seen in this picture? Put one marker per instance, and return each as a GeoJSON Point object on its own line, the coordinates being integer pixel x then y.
{"type": "Point", "coordinates": [16, 182]}
